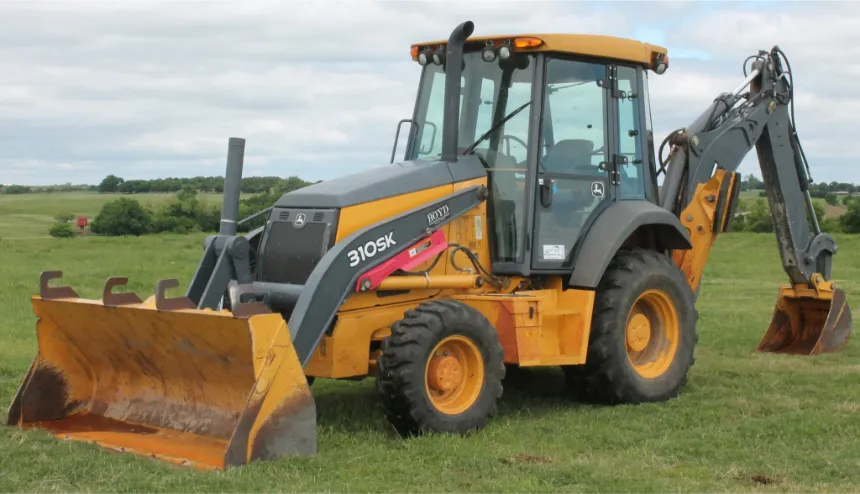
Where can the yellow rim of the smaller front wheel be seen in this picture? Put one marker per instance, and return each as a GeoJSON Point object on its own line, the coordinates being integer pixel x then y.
{"type": "Point", "coordinates": [455, 375]}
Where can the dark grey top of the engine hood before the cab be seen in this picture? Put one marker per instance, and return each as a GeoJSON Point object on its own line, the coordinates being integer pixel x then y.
{"type": "Point", "coordinates": [385, 181]}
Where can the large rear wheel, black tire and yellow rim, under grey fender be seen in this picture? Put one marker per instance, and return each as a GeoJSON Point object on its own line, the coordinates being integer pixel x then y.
{"type": "Point", "coordinates": [643, 333]}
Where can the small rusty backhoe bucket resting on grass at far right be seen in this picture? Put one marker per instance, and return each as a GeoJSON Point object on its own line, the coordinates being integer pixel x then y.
{"type": "Point", "coordinates": [808, 321]}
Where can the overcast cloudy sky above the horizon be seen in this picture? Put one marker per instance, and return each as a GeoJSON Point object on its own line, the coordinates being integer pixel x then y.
{"type": "Point", "coordinates": [153, 88]}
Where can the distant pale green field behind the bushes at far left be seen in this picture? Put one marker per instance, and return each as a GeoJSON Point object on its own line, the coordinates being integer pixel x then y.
{"type": "Point", "coordinates": [24, 216]}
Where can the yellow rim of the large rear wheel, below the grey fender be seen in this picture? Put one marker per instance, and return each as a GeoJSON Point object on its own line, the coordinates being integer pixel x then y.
{"type": "Point", "coordinates": [652, 334]}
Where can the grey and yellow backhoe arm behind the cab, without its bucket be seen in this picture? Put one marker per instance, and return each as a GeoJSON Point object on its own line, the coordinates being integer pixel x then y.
{"type": "Point", "coordinates": [701, 182]}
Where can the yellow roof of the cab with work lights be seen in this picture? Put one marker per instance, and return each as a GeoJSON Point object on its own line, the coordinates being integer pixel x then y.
{"type": "Point", "coordinates": [593, 45]}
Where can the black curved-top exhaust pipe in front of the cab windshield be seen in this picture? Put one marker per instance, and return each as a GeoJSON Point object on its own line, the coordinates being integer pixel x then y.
{"type": "Point", "coordinates": [453, 72]}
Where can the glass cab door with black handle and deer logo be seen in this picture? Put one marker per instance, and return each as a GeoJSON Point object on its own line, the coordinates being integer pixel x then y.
{"type": "Point", "coordinates": [574, 169]}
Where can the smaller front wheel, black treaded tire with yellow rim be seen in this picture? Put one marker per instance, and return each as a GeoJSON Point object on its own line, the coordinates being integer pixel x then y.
{"type": "Point", "coordinates": [441, 370]}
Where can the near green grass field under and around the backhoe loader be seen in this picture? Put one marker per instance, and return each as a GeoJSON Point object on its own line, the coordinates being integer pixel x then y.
{"type": "Point", "coordinates": [745, 423]}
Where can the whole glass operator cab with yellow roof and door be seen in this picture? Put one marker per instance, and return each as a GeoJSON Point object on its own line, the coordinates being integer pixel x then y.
{"type": "Point", "coordinates": [562, 136]}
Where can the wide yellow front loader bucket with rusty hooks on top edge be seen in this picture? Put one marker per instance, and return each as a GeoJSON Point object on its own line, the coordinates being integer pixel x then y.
{"type": "Point", "coordinates": [160, 378]}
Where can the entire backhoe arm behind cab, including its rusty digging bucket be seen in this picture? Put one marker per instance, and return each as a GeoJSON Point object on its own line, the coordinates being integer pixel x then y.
{"type": "Point", "coordinates": [702, 186]}
